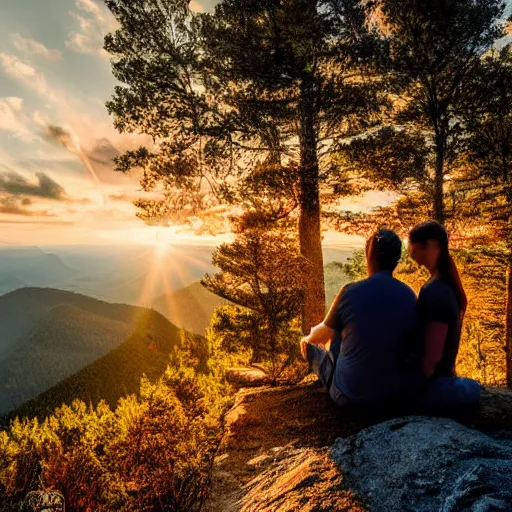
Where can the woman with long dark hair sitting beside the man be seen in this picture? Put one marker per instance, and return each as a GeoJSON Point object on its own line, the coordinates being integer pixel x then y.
{"type": "Point", "coordinates": [442, 304]}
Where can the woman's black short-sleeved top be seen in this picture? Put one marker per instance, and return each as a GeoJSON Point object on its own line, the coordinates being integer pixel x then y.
{"type": "Point", "coordinates": [437, 303]}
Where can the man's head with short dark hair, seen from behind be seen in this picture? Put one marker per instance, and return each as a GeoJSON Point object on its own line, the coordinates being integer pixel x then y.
{"type": "Point", "coordinates": [383, 251]}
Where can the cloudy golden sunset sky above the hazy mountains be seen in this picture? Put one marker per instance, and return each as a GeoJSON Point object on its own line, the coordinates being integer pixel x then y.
{"type": "Point", "coordinates": [57, 183]}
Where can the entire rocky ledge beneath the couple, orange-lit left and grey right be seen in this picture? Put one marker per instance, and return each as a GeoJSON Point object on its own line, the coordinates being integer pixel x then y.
{"type": "Point", "coordinates": [277, 455]}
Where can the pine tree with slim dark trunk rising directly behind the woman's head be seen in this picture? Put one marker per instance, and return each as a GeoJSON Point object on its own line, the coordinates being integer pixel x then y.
{"type": "Point", "coordinates": [435, 49]}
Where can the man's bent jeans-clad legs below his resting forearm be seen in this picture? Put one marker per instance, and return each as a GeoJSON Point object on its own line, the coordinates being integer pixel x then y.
{"type": "Point", "coordinates": [323, 363]}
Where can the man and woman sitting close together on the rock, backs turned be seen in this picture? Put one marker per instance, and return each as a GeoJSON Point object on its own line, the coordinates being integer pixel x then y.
{"type": "Point", "coordinates": [386, 345]}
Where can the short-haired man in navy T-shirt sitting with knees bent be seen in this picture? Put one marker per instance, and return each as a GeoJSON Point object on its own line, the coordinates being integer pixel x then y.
{"type": "Point", "coordinates": [371, 325]}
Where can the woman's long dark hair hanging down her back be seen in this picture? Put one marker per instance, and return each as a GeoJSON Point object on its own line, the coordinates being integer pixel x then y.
{"type": "Point", "coordinates": [432, 230]}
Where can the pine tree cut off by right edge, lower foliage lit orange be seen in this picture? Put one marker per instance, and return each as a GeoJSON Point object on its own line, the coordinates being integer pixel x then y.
{"type": "Point", "coordinates": [487, 162]}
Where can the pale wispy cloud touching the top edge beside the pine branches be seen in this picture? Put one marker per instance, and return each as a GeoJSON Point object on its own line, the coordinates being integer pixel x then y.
{"type": "Point", "coordinates": [94, 22]}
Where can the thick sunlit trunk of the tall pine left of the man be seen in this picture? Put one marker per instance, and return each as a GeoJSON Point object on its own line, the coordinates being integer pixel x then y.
{"type": "Point", "coordinates": [309, 203]}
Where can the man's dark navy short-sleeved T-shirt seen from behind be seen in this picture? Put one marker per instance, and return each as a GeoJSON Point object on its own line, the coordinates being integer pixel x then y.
{"type": "Point", "coordinates": [377, 319]}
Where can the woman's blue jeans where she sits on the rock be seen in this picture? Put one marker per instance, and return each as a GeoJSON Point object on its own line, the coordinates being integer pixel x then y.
{"type": "Point", "coordinates": [443, 393]}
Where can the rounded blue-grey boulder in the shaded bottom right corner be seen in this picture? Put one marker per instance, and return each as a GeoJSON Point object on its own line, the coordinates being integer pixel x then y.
{"type": "Point", "coordinates": [426, 464]}
